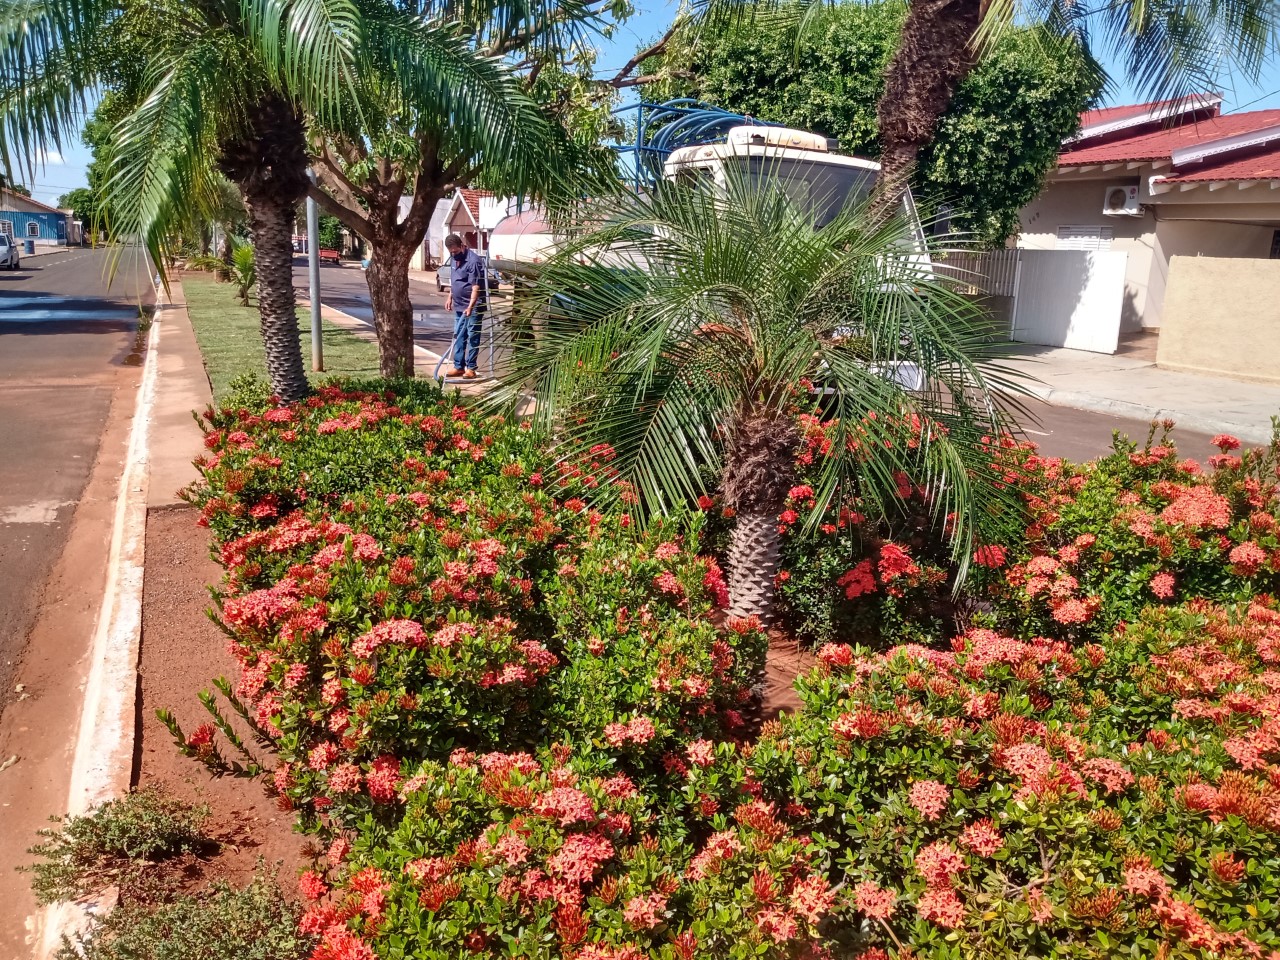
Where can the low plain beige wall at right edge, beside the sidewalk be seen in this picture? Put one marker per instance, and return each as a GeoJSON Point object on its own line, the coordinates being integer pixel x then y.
{"type": "Point", "coordinates": [1223, 317]}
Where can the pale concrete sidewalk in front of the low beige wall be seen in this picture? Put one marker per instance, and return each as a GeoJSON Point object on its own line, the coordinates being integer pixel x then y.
{"type": "Point", "coordinates": [1137, 388]}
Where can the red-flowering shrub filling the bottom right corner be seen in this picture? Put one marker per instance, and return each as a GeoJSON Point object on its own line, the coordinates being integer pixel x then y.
{"type": "Point", "coordinates": [1013, 798]}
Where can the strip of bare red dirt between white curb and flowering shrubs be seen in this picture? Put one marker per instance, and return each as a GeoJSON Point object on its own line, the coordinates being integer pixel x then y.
{"type": "Point", "coordinates": [182, 653]}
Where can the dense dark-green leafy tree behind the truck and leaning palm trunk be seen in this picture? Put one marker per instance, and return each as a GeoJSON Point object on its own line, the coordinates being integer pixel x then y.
{"type": "Point", "coordinates": [993, 148]}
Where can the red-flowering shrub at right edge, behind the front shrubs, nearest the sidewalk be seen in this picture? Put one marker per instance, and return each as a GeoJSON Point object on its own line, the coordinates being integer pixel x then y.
{"type": "Point", "coordinates": [1137, 528]}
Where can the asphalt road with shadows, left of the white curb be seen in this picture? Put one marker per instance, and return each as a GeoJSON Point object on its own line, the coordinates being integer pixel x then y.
{"type": "Point", "coordinates": [67, 346]}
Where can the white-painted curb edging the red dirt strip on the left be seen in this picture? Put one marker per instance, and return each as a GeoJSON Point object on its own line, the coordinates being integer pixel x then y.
{"type": "Point", "coordinates": [103, 762]}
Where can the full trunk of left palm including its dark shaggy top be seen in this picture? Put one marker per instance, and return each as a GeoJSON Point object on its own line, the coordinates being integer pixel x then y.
{"type": "Point", "coordinates": [268, 161]}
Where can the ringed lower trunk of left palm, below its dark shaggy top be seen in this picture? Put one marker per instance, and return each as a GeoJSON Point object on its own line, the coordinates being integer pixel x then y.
{"type": "Point", "coordinates": [272, 223]}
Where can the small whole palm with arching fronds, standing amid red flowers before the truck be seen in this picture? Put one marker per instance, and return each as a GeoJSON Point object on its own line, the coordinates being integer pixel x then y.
{"type": "Point", "coordinates": [684, 331]}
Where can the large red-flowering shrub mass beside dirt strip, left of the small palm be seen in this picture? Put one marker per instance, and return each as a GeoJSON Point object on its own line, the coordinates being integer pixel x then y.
{"type": "Point", "coordinates": [405, 579]}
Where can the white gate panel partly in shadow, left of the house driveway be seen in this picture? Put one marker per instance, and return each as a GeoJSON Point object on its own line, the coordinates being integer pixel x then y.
{"type": "Point", "coordinates": [1071, 299]}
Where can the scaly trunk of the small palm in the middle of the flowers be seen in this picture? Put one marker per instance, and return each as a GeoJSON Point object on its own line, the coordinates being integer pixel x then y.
{"type": "Point", "coordinates": [760, 472]}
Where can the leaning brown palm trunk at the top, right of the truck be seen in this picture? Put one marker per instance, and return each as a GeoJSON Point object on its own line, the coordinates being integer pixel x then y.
{"type": "Point", "coordinates": [935, 54]}
